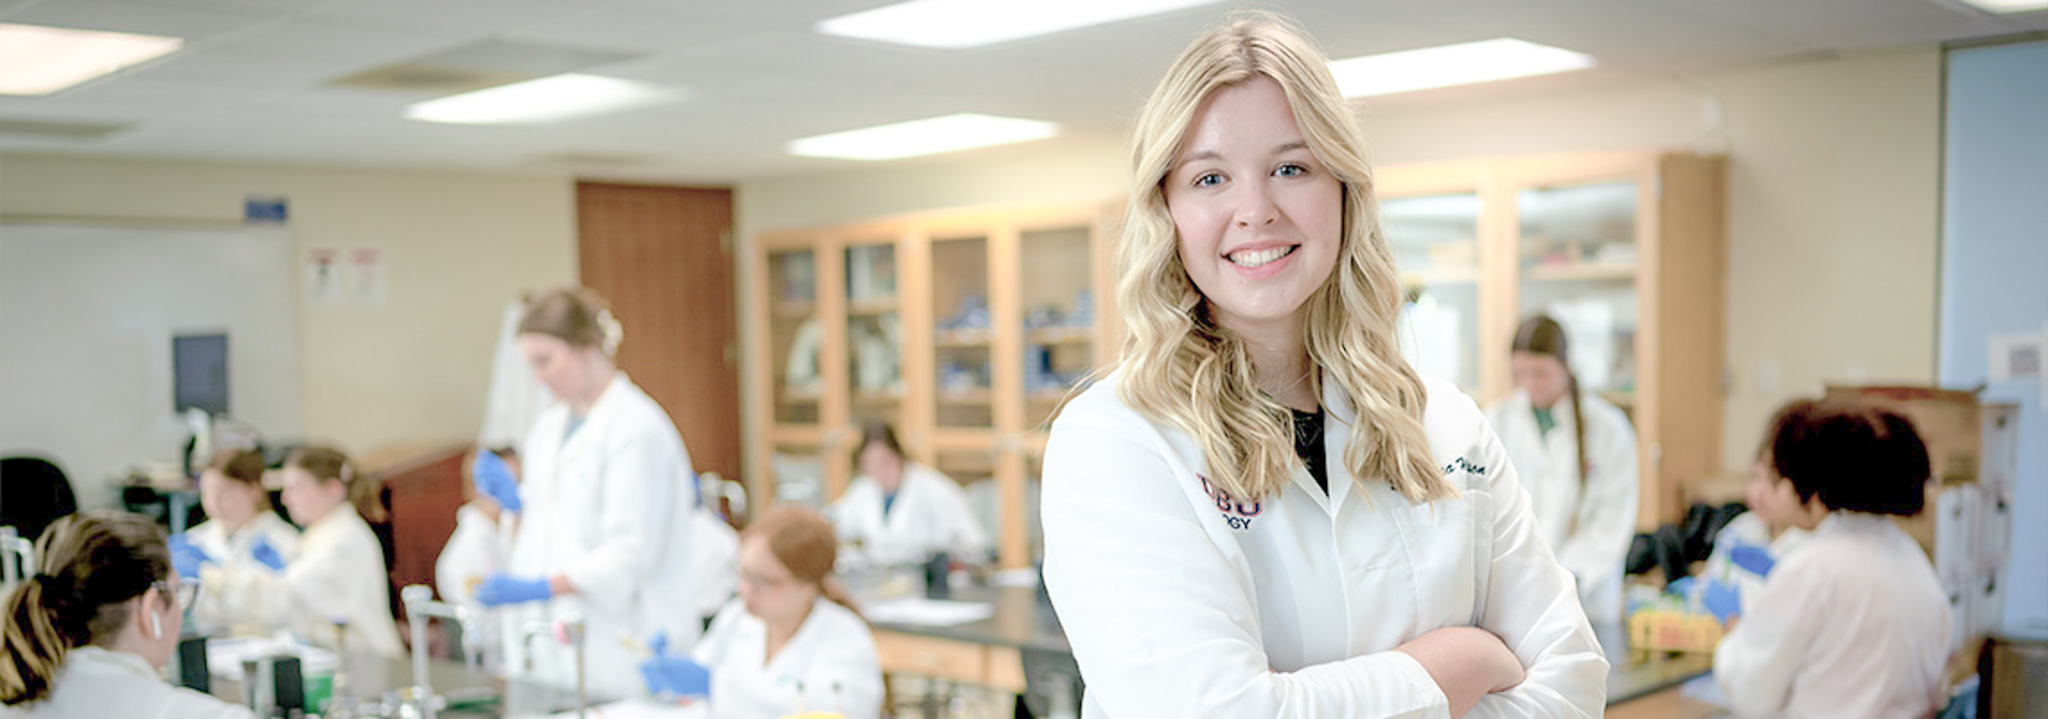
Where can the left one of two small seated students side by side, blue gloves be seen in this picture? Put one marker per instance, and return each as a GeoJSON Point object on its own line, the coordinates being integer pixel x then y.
{"type": "Point", "coordinates": [239, 523]}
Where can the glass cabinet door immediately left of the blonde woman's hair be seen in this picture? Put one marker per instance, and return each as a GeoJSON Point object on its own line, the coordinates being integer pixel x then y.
{"type": "Point", "coordinates": [1060, 319]}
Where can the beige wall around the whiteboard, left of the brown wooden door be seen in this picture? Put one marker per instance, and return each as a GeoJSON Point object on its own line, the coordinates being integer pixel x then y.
{"type": "Point", "coordinates": [458, 247]}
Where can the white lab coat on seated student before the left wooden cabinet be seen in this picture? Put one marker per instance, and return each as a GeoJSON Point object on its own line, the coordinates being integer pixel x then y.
{"type": "Point", "coordinates": [929, 515]}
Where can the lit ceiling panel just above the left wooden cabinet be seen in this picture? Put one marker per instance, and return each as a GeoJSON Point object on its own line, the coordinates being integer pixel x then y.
{"type": "Point", "coordinates": [923, 138]}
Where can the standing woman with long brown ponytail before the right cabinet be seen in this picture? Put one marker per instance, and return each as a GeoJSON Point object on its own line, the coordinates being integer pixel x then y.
{"type": "Point", "coordinates": [1576, 456]}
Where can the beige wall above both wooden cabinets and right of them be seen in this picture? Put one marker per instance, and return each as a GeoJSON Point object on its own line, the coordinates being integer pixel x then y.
{"type": "Point", "coordinates": [1832, 202]}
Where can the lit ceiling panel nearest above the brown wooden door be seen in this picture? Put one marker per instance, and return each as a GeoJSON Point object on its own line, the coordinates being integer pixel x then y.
{"type": "Point", "coordinates": [542, 101]}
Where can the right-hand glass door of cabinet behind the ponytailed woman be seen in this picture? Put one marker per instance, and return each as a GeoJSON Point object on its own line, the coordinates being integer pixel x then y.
{"type": "Point", "coordinates": [1578, 265]}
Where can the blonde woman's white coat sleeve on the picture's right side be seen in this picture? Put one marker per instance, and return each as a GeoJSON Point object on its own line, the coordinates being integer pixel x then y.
{"type": "Point", "coordinates": [1535, 607]}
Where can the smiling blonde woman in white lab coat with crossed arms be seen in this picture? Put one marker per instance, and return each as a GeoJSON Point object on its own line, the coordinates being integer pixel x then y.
{"type": "Point", "coordinates": [1265, 511]}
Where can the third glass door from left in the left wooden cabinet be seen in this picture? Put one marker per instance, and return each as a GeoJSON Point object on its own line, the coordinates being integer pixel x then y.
{"type": "Point", "coordinates": [964, 333]}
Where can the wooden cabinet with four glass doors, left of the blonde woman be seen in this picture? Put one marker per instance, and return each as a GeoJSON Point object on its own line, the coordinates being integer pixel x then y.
{"type": "Point", "coordinates": [964, 329]}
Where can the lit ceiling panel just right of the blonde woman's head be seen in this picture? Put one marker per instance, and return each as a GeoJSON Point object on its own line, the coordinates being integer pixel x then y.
{"type": "Point", "coordinates": [1453, 65]}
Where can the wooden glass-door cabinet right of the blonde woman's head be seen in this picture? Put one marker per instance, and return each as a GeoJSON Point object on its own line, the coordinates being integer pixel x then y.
{"type": "Point", "coordinates": [1625, 249]}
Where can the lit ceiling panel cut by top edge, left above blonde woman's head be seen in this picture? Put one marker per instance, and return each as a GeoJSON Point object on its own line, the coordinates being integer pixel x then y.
{"type": "Point", "coordinates": [974, 24]}
